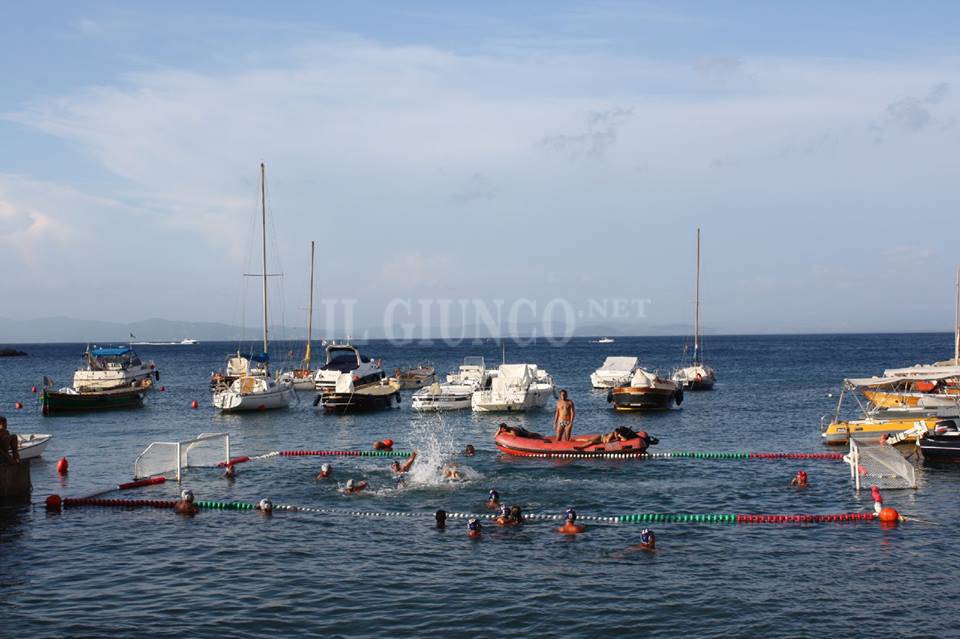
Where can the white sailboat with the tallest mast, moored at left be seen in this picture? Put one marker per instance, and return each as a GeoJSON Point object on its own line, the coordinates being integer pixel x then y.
{"type": "Point", "coordinates": [248, 391]}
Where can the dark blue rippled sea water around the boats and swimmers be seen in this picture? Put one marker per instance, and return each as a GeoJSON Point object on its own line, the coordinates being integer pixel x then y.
{"type": "Point", "coordinates": [111, 572]}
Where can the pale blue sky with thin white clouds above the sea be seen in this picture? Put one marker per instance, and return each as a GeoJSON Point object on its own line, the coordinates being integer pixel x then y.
{"type": "Point", "coordinates": [484, 151]}
